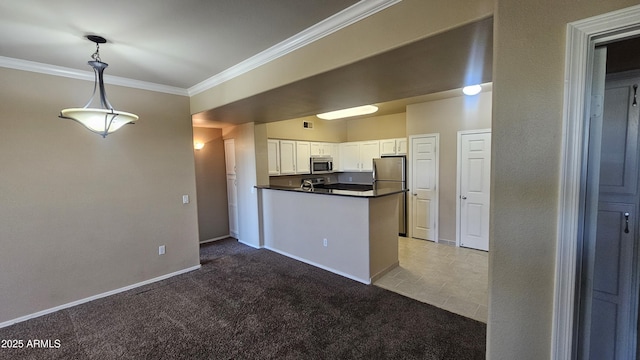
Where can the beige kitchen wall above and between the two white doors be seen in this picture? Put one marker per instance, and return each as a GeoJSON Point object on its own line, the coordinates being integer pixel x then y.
{"type": "Point", "coordinates": [447, 117]}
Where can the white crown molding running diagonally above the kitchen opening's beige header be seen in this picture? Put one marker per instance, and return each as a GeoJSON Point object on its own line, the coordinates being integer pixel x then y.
{"type": "Point", "coordinates": [350, 15]}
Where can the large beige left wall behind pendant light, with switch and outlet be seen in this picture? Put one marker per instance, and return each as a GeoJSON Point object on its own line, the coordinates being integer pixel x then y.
{"type": "Point", "coordinates": [81, 215]}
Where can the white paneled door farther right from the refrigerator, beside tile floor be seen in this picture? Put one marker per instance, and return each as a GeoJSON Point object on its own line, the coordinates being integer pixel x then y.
{"type": "Point", "coordinates": [474, 171]}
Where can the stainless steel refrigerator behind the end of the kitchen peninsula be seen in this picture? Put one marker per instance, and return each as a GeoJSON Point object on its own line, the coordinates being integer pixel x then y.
{"type": "Point", "coordinates": [390, 172]}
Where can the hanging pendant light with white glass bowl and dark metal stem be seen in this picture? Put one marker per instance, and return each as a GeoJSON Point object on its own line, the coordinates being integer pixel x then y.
{"type": "Point", "coordinates": [104, 120]}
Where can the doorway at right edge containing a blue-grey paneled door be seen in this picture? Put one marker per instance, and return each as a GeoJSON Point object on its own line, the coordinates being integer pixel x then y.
{"type": "Point", "coordinates": [608, 295]}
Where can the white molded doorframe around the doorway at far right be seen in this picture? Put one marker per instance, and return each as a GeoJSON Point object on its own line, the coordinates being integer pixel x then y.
{"type": "Point", "coordinates": [582, 36]}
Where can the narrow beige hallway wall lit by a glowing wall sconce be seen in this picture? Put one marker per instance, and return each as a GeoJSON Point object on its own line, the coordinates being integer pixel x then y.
{"type": "Point", "coordinates": [211, 184]}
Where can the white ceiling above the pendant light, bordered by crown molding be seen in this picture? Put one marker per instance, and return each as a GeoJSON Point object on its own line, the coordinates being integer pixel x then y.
{"type": "Point", "coordinates": [173, 43]}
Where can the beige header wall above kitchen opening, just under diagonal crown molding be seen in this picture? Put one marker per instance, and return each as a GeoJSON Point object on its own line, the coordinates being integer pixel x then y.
{"type": "Point", "coordinates": [410, 20]}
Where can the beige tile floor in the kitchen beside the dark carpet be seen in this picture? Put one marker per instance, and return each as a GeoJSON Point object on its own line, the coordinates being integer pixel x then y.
{"type": "Point", "coordinates": [449, 277]}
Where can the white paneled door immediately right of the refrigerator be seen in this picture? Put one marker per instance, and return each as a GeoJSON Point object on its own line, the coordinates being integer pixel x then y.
{"type": "Point", "coordinates": [424, 186]}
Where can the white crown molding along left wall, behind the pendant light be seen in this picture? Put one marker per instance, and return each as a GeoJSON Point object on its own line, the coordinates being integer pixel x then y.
{"type": "Point", "coordinates": [54, 70]}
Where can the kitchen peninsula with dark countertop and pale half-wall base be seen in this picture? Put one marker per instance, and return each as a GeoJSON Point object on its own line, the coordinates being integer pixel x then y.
{"type": "Point", "coordinates": [351, 233]}
